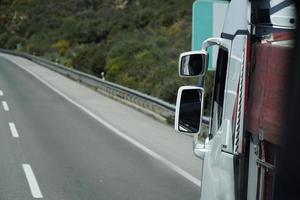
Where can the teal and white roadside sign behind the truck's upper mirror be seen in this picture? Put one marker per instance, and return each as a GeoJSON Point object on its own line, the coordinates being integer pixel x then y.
{"type": "Point", "coordinates": [208, 17]}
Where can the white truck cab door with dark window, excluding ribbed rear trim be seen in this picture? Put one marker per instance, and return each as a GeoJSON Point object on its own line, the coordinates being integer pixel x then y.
{"type": "Point", "coordinates": [218, 181]}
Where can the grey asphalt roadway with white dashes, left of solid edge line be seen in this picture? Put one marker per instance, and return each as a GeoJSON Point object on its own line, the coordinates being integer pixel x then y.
{"type": "Point", "coordinates": [51, 149]}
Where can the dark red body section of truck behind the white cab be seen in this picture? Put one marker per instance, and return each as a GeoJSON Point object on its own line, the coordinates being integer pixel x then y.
{"type": "Point", "coordinates": [268, 81]}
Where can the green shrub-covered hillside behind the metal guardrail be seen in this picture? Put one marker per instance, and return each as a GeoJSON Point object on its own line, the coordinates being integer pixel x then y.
{"type": "Point", "coordinates": [135, 42]}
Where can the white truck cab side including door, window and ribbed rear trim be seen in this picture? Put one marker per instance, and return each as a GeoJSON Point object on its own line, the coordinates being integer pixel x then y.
{"type": "Point", "coordinates": [222, 166]}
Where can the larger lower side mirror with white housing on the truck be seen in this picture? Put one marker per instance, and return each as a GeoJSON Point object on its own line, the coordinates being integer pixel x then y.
{"type": "Point", "coordinates": [189, 110]}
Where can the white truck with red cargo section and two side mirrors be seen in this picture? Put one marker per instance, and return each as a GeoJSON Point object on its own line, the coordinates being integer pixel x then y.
{"type": "Point", "coordinates": [245, 122]}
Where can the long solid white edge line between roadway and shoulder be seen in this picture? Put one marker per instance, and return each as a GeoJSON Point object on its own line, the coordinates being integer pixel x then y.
{"type": "Point", "coordinates": [168, 163]}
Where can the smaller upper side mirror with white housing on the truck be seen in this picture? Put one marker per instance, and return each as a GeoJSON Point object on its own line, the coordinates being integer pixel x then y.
{"type": "Point", "coordinates": [193, 63]}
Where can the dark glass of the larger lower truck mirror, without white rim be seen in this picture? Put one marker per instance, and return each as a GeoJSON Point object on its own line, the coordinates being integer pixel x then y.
{"type": "Point", "coordinates": [190, 111]}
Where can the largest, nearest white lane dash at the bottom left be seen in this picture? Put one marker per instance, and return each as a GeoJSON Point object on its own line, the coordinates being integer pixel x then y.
{"type": "Point", "coordinates": [32, 182]}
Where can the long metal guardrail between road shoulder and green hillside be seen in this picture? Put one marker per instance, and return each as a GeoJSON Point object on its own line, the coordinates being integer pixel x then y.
{"type": "Point", "coordinates": [151, 105]}
